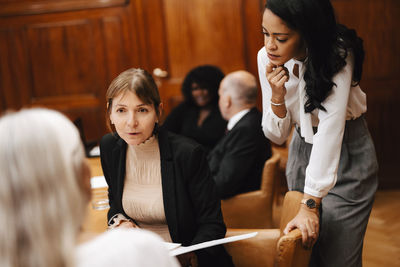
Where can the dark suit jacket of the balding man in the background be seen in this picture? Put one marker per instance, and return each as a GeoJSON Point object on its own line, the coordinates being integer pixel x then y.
{"type": "Point", "coordinates": [237, 161]}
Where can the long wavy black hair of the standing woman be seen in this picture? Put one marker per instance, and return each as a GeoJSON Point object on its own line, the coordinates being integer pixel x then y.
{"type": "Point", "coordinates": [328, 44]}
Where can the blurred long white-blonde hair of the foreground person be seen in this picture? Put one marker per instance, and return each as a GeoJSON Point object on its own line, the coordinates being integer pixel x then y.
{"type": "Point", "coordinates": [41, 196]}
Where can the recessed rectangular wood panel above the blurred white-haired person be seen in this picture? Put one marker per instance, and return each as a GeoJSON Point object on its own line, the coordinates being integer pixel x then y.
{"type": "Point", "coordinates": [59, 59]}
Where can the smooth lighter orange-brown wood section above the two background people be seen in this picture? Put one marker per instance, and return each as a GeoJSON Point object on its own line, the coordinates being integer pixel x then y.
{"type": "Point", "coordinates": [208, 32]}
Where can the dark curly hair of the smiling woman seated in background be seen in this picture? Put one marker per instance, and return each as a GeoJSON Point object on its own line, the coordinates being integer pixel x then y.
{"type": "Point", "coordinates": [207, 77]}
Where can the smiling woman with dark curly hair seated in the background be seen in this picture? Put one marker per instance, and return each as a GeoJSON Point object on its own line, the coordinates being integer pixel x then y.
{"type": "Point", "coordinates": [198, 117]}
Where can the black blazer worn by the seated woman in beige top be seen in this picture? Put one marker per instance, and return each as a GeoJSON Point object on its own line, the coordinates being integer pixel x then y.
{"type": "Point", "coordinates": [192, 208]}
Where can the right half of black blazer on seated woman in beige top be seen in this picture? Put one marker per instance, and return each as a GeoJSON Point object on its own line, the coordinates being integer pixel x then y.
{"type": "Point", "coordinates": [192, 206]}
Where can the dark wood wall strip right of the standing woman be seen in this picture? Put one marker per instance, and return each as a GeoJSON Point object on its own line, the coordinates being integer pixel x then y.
{"type": "Point", "coordinates": [378, 24]}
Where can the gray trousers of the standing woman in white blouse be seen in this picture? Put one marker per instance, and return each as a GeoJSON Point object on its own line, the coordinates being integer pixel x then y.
{"type": "Point", "coordinates": [346, 208]}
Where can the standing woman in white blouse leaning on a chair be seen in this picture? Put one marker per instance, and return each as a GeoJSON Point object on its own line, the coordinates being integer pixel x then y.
{"type": "Point", "coordinates": [309, 69]}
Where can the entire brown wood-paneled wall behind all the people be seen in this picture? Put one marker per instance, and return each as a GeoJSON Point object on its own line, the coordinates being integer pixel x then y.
{"type": "Point", "coordinates": [62, 54]}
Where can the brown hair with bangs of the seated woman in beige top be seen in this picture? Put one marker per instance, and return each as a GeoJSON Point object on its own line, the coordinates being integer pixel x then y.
{"type": "Point", "coordinates": [137, 81]}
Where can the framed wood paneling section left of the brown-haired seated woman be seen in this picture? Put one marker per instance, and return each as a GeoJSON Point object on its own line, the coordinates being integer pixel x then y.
{"type": "Point", "coordinates": [66, 61]}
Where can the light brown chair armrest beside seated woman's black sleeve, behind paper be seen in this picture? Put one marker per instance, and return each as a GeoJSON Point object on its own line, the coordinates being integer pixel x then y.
{"type": "Point", "coordinates": [256, 251]}
